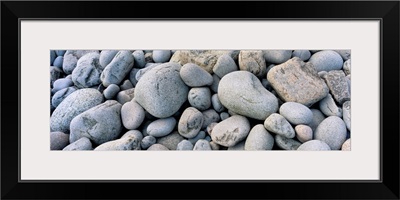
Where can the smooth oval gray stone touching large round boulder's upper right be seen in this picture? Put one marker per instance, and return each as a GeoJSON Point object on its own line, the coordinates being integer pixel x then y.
{"type": "Point", "coordinates": [195, 76]}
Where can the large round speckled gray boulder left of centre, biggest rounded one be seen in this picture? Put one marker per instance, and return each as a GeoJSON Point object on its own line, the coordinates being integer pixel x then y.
{"type": "Point", "coordinates": [161, 91]}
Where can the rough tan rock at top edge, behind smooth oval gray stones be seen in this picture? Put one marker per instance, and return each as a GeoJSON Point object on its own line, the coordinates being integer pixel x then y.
{"type": "Point", "coordinates": [206, 59]}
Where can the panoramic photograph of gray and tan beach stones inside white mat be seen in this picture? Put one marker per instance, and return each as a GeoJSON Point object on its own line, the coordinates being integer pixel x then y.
{"type": "Point", "coordinates": [200, 100]}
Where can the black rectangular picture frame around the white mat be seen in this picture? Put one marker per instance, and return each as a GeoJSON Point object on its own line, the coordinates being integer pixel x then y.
{"type": "Point", "coordinates": [386, 11]}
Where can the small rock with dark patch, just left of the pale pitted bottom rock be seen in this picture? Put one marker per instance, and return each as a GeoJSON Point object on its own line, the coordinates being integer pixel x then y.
{"type": "Point", "coordinates": [190, 122]}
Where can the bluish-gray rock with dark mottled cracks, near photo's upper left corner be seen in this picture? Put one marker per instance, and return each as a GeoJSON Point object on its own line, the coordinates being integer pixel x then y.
{"type": "Point", "coordinates": [87, 71]}
